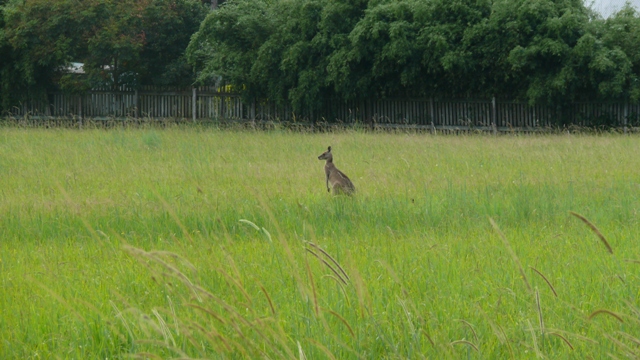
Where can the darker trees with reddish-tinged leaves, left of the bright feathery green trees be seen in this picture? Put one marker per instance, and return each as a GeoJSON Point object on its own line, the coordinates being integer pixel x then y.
{"type": "Point", "coordinates": [124, 42]}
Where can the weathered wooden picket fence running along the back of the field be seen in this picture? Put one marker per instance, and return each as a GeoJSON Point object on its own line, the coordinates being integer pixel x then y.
{"type": "Point", "coordinates": [204, 103]}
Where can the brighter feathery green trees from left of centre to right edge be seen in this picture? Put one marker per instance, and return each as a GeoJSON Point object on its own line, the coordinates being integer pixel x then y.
{"type": "Point", "coordinates": [303, 52]}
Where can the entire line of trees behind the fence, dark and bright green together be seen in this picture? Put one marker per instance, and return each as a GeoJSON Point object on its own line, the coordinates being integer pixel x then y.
{"type": "Point", "coordinates": [305, 52]}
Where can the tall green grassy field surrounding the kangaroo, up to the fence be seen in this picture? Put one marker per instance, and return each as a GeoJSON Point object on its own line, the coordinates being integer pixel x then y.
{"type": "Point", "coordinates": [206, 243]}
